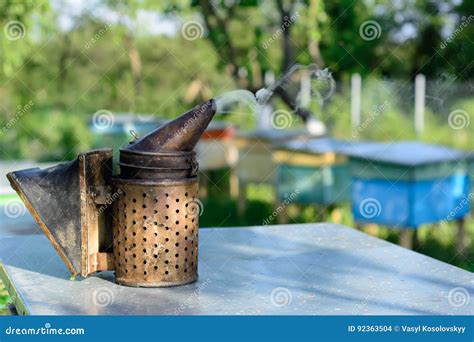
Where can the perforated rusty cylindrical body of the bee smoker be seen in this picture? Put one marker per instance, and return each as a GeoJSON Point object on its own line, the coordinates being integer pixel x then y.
{"type": "Point", "coordinates": [155, 234]}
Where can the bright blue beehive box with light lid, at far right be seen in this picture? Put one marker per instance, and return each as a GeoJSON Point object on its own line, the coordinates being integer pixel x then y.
{"type": "Point", "coordinates": [407, 184]}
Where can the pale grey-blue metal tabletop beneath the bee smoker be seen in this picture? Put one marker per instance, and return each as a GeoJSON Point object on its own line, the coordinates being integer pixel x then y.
{"type": "Point", "coordinates": [315, 269]}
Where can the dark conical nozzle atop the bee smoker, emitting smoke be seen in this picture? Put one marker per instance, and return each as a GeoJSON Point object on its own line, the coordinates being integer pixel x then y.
{"type": "Point", "coordinates": [181, 134]}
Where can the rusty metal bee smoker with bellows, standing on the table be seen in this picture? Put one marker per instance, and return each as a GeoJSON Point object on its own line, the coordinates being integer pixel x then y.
{"type": "Point", "coordinates": [142, 223]}
